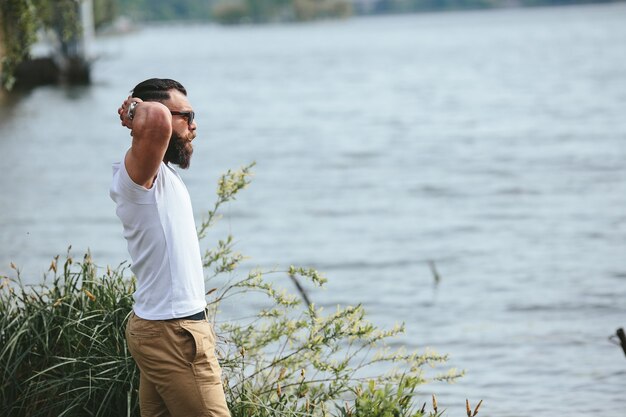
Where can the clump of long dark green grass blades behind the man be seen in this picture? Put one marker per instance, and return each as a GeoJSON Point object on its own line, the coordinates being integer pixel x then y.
{"type": "Point", "coordinates": [63, 351]}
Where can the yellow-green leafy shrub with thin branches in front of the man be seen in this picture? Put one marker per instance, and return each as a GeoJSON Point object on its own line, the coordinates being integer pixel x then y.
{"type": "Point", "coordinates": [292, 355]}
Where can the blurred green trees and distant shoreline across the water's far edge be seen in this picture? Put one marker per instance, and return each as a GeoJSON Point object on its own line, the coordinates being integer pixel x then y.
{"type": "Point", "coordinates": [22, 20]}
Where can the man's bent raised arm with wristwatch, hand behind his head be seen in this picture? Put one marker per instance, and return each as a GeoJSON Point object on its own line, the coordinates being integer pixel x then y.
{"type": "Point", "coordinates": [150, 123]}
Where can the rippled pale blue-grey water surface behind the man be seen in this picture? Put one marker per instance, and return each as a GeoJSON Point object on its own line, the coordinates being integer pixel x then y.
{"type": "Point", "coordinates": [491, 143]}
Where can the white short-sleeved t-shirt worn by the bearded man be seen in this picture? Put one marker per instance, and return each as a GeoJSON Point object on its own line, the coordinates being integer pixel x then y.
{"type": "Point", "coordinates": [163, 244]}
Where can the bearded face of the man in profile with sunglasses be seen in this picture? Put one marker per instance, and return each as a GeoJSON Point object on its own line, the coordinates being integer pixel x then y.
{"type": "Point", "coordinates": [179, 150]}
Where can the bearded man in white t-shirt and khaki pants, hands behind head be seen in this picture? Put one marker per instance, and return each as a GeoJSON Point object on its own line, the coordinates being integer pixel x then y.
{"type": "Point", "coordinates": [168, 333]}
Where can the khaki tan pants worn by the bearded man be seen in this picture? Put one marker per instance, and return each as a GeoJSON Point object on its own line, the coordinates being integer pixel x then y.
{"type": "Point", "coordinates": [180, 375]}
